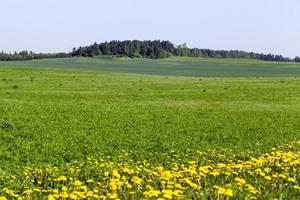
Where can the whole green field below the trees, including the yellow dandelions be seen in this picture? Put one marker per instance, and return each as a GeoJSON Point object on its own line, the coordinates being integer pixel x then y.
{"type": "Point", "coordinates": [50, 116]}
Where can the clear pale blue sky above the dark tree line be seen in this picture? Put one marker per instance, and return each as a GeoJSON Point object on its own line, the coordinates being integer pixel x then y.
{"type": "Point", "coordinates": [262, 26]}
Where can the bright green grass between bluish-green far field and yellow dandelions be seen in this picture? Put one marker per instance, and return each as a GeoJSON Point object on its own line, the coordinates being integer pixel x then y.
{"type": "Point", "coordinates": [62, 115]}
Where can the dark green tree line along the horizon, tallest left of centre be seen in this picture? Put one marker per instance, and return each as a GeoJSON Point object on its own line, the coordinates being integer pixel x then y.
{"type": "Point", "coordinates": [155, 49]}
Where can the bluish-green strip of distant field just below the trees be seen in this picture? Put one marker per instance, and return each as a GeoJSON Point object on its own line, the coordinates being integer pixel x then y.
{"type": "Point", "coordinates": [176, 66]}
